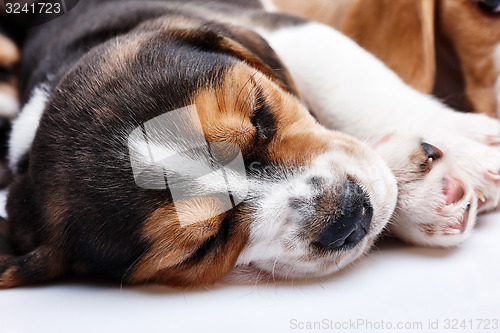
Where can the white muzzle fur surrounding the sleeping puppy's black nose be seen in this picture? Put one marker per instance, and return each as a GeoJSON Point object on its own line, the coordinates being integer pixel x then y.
{"type": "Point", "coordinates": [274, 247]}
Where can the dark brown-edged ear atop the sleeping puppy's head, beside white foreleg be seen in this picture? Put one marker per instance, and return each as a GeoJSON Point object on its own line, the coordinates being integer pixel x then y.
{"type": "Point", "coordinates": [243, 44]}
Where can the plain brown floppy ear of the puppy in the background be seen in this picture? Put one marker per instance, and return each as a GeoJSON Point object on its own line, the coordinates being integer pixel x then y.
{"type": "Point", "coordinates": [400, 33]}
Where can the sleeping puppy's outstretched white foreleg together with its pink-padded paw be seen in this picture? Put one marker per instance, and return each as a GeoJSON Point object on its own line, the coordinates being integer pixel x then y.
{"type": "Point", "coordinates": [350, 90]}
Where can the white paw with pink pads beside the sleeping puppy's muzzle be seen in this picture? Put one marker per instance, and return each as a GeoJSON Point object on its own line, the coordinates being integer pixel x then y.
{"type": "Point", "coordinates": [445, 178]}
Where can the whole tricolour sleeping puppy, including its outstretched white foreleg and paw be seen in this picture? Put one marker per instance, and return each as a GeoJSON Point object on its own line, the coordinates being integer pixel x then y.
{"type": "Point", "coordinates": [182, 143]}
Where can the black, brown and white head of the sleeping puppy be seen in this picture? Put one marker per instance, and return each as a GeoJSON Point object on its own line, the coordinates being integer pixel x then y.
{"type": "Point", "coordinates": [195, 137]}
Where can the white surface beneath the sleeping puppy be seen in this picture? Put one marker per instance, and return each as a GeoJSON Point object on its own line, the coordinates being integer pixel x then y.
{"type": "Point", "coordinates": [394, 284]}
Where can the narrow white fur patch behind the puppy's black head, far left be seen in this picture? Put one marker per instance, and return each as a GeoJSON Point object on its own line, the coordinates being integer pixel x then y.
{"type": "Point", "coordinates": [26, 125]}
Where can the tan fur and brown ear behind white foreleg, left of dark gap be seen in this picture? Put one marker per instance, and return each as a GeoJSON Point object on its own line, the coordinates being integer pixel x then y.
{"type": "Point", "coordinates": [400, 33]}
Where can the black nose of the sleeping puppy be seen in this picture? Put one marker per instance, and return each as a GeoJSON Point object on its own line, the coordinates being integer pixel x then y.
{"type": "Point", "coordinates": [352, 225]}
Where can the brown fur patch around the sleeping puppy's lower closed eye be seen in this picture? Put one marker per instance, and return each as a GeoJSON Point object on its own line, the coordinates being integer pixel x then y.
{"type": "Point", "coordinates": [173, 244]}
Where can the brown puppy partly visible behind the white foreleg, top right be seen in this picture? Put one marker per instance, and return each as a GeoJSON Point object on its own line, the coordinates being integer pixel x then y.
{"type": "Point", "coordinates": [450, 48]}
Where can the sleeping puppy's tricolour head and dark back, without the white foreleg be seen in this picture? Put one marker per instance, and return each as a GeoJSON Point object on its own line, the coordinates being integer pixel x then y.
{"type": "Point", "coordinates": [124, 98]}
